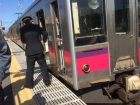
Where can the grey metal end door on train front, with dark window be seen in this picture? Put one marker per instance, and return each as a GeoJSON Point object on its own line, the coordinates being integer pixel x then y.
{"type": "Point", "coordinates": [123, 35]}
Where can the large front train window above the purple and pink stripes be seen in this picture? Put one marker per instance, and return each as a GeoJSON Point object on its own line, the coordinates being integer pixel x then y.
{"type": "Point", "coordinates": [89, 21]}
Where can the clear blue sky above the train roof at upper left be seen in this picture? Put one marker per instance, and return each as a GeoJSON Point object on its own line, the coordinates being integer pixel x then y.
{"type": "Point", "coordinates": [8, 8]}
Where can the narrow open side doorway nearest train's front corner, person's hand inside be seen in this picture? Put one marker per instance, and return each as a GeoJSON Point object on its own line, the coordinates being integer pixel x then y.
{"type": "Point", "coordinates": [58, 37]}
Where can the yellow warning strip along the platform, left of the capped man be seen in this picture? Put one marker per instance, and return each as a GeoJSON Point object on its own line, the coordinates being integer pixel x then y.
{"type": "Point", "coordinates": [22, 96]}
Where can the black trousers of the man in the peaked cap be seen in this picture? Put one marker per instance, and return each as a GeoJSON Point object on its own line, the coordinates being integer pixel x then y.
{"type": "Point", "coordinates": [40, 58]}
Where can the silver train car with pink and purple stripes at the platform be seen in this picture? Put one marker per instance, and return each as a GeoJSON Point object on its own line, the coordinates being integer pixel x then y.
{"type": "Point", "coordinates": [98, 51]}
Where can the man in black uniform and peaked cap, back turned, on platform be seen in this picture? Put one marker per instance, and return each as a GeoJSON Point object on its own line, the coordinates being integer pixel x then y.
{"type": "Point", "coordinates": [30, 35]}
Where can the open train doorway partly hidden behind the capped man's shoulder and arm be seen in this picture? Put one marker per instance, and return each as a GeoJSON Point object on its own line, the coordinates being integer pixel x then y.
{"type": "Point", "coordinates": [41, 23]}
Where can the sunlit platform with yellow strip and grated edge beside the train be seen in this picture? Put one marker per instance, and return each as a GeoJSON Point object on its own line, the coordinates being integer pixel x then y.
{"type": "Point", "coordinates": [56, 94]}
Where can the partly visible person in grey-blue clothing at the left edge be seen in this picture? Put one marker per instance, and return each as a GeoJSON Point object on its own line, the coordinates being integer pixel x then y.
{"type": "Point", "coordinates": [5, 62]}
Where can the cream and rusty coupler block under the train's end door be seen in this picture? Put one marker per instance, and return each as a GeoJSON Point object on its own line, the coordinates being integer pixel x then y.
{"type": "Point", "coordinates": [130, 90]}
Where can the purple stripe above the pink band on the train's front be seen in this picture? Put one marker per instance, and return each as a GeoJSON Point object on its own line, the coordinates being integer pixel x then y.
{"type": "Point", "coordinates": [91, 53]}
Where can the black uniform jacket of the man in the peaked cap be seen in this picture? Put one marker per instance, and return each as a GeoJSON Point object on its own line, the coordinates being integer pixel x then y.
{"type": "Point", "coordinates": [30, 35]}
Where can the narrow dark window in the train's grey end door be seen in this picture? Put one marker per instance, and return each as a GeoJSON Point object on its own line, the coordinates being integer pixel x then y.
{"type": "Point", "coordinates": [122, 16]}
